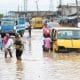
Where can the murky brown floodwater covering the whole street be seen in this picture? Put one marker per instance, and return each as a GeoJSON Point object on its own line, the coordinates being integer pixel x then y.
{"type": "Point", "coordinates": [39, 65]}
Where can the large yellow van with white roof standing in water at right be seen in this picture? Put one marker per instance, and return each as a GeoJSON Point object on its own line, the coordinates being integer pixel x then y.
{"type": "Point", "coordinates": [66, 39]}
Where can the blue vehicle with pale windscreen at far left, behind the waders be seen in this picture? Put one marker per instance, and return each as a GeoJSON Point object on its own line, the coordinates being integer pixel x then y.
{"type": "Point", "coordinates": [7, 25]}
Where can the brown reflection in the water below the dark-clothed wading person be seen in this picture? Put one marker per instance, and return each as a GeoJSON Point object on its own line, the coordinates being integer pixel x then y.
{"type": "Point", "coordinates": [19, 70]}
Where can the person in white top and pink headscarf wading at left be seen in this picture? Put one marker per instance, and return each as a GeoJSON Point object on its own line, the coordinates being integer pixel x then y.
{"type": "Point", "coordinates": [7, 43]}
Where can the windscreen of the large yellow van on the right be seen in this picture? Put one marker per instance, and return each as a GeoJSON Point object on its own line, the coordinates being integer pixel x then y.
{"type": "Point", "coordinates": [69, 34]}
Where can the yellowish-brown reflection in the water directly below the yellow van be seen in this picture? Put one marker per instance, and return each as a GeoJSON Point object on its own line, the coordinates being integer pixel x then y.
{"type": "Point", "coordinates": [67, 56]}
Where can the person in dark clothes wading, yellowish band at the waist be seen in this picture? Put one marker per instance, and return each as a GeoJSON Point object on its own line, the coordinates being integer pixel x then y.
{"type": "Point", "coordinates": [18, 46]}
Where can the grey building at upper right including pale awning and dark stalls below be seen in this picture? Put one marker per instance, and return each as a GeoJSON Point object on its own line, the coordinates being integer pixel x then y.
{"type": "Point", "coordinates": [70, 14]}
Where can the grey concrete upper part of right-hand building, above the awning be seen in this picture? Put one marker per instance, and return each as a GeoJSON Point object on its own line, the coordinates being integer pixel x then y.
{"type": "Point", "coordinates": [65, 10]}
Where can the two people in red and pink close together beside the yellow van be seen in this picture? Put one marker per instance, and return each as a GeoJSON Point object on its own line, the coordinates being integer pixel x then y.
{"type": "Point", "coordinates": [46, 34]}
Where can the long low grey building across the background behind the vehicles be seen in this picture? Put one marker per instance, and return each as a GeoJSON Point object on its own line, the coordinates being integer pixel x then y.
{"type": "Point", "coordinates": [32, 13]}
